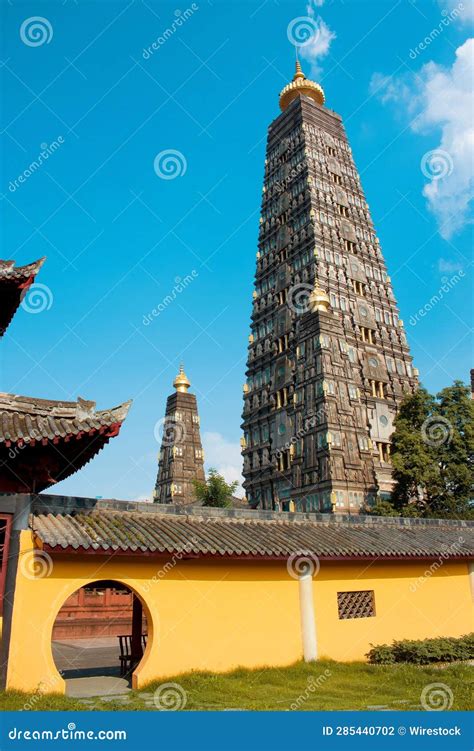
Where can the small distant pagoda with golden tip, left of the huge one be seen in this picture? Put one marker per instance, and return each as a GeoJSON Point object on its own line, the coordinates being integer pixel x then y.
{"type": "Point", "coordinates": [181, 458]}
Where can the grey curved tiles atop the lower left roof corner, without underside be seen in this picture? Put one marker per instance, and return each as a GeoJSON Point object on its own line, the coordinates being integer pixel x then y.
{"type": "Point", "coordinates": [26, 420]}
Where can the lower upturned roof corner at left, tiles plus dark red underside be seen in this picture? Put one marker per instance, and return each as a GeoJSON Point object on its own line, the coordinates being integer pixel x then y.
{"type": "Point", "coordinates": [43, 441]}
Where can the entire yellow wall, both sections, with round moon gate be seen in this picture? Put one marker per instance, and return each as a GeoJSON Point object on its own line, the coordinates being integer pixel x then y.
{"type": "Point", "coordinates": [220, 615]}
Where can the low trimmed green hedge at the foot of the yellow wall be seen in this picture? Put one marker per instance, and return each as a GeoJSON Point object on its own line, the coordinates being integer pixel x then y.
{"type": "Point", "coordinates": [444, 649]}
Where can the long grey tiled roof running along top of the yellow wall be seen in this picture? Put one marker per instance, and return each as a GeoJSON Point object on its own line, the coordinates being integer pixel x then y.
{"type": "Point", "coordinates": [156, 529]}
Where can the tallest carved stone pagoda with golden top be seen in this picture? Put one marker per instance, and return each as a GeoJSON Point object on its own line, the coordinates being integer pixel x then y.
{"type": "Point", "coordinates": [328, 360]}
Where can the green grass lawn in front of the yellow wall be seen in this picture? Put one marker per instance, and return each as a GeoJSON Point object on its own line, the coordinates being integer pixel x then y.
{"type": "Point", "coordinates": [322, 685]}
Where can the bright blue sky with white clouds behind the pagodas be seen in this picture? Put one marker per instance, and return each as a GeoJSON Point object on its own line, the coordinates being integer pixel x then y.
{"type": "Point", "coordinates": [117, 236]}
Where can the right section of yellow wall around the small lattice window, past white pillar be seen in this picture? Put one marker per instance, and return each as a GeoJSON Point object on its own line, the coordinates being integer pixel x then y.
{"type": "Point", "coordinates": [410, 603]}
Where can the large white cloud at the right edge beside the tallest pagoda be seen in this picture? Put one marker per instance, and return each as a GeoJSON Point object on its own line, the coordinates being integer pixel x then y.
{"type": "Point", "coordinates": [441, 99]}
